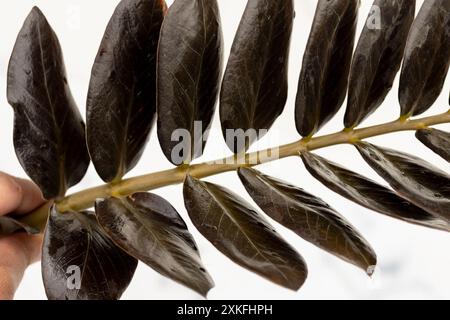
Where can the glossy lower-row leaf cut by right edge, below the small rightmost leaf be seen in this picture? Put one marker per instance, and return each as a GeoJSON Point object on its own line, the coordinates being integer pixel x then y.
{"type": "Point", "coordinates": [415, 179]}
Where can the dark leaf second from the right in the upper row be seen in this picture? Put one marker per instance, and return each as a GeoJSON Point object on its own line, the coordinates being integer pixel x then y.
{"type": "Point", "coordinates": [377, 58]}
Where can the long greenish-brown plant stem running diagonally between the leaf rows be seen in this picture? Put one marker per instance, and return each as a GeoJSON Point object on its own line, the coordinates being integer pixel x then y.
{"type": "Point", "coordinates": [86, 199]}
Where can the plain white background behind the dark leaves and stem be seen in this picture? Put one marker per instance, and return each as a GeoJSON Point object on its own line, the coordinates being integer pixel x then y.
{"type": "Point", "coordinates": [413, 261]}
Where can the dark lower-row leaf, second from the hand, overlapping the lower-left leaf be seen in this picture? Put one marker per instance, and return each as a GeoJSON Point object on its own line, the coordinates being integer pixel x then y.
{"type": "Point", "coordinates": [151, 230]}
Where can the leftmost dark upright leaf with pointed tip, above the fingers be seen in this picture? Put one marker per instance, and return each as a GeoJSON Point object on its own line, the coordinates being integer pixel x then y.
{"type": "Point", "coordinates": [49, 134]}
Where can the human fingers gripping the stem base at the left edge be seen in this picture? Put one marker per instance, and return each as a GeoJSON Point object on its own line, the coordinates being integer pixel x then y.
{"type": "Point", "coordinates": [17, 251]}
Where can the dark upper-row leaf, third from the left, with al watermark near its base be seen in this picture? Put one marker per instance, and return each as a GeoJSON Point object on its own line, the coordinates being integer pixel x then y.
{"type": "Point", "coordinates": [189, 72]}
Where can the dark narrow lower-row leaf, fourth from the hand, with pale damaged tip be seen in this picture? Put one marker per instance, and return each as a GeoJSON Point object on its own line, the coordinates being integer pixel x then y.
{"type": "Point", "coordinates": [309, 217]}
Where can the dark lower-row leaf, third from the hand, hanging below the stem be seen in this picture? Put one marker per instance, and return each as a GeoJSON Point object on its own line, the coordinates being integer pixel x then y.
{"type": "Point", "coordinates": [242, 234]}
